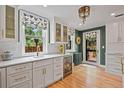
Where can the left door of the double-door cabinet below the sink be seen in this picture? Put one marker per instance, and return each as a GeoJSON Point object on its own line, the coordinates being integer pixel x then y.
{"type": "Point", "coordinates": [38, 78]}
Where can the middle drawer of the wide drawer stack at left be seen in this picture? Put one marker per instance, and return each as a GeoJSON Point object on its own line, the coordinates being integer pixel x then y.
{"type": "Point", "coordinates": [18, 78]}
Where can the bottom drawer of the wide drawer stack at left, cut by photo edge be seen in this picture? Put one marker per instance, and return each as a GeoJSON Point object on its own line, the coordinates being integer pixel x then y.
{"type": "Point", "coordinates": [26, 84]}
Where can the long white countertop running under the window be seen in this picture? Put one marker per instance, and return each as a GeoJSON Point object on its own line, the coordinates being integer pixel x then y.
{"type": "Point", "coordinates": [29, 59]}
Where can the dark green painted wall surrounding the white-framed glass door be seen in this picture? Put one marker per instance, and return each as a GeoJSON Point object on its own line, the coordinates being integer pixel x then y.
{"type": "Point", "coordinates": [102, 42]}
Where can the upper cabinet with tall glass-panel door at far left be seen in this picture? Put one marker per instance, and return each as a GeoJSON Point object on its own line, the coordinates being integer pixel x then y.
{"type": "Point", "coordinates": [8, 22]}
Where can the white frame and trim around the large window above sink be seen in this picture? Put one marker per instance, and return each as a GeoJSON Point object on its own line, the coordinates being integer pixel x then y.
{"type": "Point", "coordinates": [22, 36]}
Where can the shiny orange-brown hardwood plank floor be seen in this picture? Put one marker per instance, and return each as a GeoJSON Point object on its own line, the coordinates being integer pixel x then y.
{"type": "Point", "coordinates": [87, 76]}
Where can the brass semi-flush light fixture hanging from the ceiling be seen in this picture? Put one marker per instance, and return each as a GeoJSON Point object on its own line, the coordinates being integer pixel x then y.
{"type": "Point", "coordinates": [84, 12]}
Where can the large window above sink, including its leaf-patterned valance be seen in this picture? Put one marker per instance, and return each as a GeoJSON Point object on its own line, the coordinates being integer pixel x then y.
{"type": "Point", "coordinates": [33, 29]}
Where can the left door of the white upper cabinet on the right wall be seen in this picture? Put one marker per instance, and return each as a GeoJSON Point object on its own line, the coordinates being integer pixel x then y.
{"type": "Point", "coordinates": [112, 32]}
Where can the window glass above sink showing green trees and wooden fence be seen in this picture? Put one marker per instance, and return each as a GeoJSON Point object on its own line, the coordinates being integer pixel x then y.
{"type": "Point", "coordinates": [31, 35]}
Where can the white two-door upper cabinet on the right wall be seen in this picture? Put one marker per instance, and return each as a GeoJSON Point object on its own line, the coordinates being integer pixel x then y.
{"type": "Point", "coordinates": [115, 32]}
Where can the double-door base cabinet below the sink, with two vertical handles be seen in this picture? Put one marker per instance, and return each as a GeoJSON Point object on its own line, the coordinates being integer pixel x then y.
{"type": "Point", "coordinates": [43, 73]}
